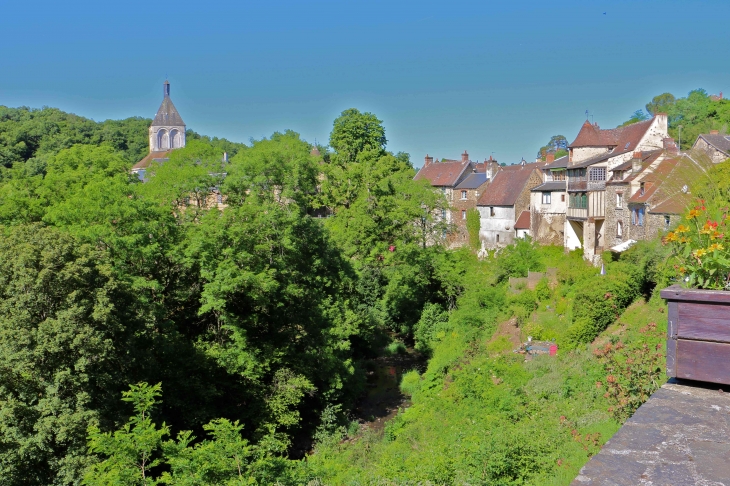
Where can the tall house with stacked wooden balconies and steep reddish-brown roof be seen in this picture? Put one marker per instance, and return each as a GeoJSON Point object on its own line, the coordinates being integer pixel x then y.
{"type": "Point", "coordinates": [591, 156]}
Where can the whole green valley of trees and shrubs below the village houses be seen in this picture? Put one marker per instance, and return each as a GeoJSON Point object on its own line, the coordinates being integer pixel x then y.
{"type": "Point", "coordinates": [148, 335]}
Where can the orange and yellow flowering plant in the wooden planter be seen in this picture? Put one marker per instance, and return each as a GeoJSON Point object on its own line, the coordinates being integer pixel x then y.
{"type": "Point", "coordinates": [699, 246]}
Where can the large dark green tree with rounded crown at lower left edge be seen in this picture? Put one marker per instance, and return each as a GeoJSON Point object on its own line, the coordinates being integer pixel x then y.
{"type": "Point", "coordinates": [65, 322]}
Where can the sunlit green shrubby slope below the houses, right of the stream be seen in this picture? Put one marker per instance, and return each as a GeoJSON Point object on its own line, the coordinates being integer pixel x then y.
{"type": "Point", "coordinates": [482, 414]}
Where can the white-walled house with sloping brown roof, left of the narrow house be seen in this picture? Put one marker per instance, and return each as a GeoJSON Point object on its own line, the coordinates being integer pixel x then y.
{"type": "Point", "coordinates": [504, 200]}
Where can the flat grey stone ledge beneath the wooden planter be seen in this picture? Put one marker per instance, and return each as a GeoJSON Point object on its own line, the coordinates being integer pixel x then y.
{"type": "Point", "coordinates": [680, 436]}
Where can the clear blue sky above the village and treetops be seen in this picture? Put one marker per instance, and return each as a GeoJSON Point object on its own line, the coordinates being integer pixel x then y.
{"type": "Point", "coordinates": [488, 77]}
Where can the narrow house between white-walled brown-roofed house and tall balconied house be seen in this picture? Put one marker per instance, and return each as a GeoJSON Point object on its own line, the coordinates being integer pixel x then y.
{"type": "Point", "coordinates": [549, 203]}
